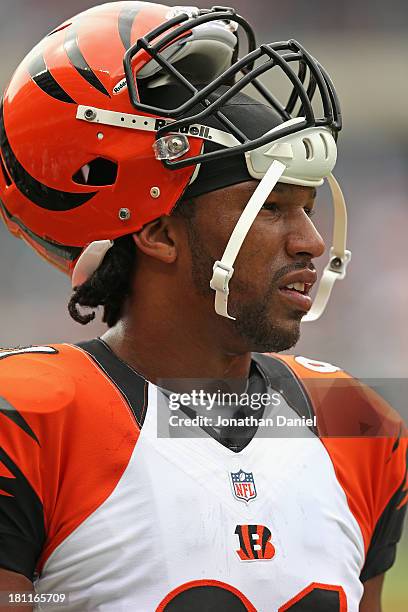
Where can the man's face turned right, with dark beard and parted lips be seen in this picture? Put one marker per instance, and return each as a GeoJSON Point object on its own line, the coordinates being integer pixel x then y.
{"type": "Point", "coordinates": [277, 251]}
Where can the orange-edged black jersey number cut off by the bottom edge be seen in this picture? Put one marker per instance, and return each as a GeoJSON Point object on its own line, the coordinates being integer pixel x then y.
{"type": "Point", "coordinates": [211, 595]}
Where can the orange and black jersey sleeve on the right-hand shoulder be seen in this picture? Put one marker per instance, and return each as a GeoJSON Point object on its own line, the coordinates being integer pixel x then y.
{"type": "Point", "coordinates": [367, 442]}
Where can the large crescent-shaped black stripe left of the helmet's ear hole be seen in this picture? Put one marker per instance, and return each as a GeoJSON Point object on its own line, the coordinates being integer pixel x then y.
{"type": "Point", "coordinates": [38, 193]}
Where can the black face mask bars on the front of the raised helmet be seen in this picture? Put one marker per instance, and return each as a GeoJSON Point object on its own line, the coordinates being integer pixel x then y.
{"type": "Point", "coordinates": [310, 86]}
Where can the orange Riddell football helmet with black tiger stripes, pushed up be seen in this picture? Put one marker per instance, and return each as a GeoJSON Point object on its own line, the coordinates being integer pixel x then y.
{"type": "Point", "coordinates": [80, 167]}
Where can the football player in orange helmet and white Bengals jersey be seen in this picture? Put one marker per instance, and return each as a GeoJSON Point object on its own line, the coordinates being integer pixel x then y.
{"type": "Point", "coordinates": [146, 155]}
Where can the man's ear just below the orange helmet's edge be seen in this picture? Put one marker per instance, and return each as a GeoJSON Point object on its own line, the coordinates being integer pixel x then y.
{"type": "Point", "coordinates": [158, 239]}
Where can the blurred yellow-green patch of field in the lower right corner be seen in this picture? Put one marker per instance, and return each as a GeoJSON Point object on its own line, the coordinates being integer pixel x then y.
{"type": "Point", "coordinates": [395, 597]}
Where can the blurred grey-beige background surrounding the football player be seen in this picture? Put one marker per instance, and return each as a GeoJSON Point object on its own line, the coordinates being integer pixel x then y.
{"type": "Point", "coordinates": [364, 47]}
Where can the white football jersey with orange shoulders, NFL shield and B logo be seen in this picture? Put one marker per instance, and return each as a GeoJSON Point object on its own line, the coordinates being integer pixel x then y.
{"type": "Point", "coordinates": [124, 516]}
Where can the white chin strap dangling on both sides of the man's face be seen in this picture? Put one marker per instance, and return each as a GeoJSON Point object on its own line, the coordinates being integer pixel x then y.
{"type": "Point", "coordinates": [339, 255]}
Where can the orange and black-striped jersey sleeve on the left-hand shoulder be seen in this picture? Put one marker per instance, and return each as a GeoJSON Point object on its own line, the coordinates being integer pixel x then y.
{"type": "Point", "coordinates": [67, 433]}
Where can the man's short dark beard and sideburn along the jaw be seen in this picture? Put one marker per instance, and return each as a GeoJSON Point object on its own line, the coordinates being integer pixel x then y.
{"type": "Point", "coordinates": [253, 322]}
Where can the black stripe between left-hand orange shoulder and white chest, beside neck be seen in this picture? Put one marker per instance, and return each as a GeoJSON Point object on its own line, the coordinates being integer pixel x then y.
{"type": "Point", "coordinates": [131, 385]}
